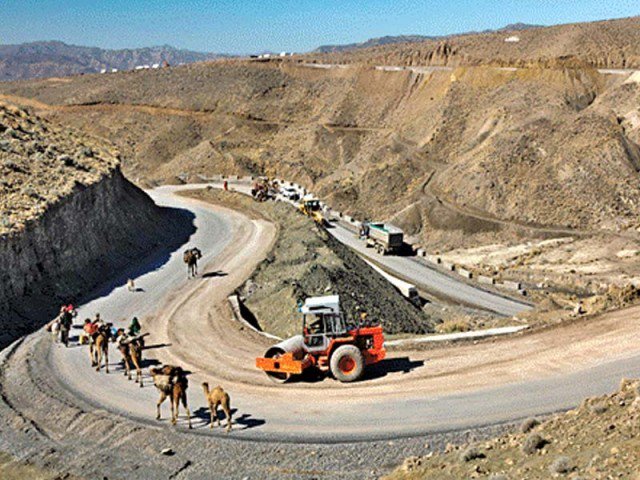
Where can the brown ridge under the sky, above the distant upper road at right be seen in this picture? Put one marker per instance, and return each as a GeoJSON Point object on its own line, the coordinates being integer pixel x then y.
{"type": "Point", "coordinates": [606, 44]}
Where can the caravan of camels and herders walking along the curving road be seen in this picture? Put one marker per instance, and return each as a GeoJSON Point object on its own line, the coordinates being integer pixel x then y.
{"type": "Point", "coordinates": [171, 381]}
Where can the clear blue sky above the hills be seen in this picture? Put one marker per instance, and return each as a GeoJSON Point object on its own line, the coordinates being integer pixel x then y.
{"type": "Point", "coordinates": [254, 26]}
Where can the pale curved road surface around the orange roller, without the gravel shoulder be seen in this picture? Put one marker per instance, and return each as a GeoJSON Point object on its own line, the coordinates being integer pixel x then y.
{"type": "Point", "coordinates": [412, 393]}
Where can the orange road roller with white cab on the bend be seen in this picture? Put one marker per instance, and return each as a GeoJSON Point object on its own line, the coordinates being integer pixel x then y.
{"type": "Point", "coordinates": [326, 343]}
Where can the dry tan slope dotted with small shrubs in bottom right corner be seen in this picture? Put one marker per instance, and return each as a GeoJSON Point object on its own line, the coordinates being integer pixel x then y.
{"type": "Point", "coordinates": [598, 440]}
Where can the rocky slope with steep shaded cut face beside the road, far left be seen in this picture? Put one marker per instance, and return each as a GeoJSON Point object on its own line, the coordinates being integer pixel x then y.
{"type": "Point", "coordinates": [69, 219]}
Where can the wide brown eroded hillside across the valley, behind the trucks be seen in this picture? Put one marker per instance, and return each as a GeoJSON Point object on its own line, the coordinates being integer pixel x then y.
{"type": "Point", "coordinates": [455, 157]}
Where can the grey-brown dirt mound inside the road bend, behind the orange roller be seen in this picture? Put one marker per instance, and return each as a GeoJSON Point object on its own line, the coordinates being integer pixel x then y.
{"type": "Point", "coordinates": [306, 261]}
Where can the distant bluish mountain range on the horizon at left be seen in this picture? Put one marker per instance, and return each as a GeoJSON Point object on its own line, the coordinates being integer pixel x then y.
{"type": "Point", "coordinates": [55, 59]}
